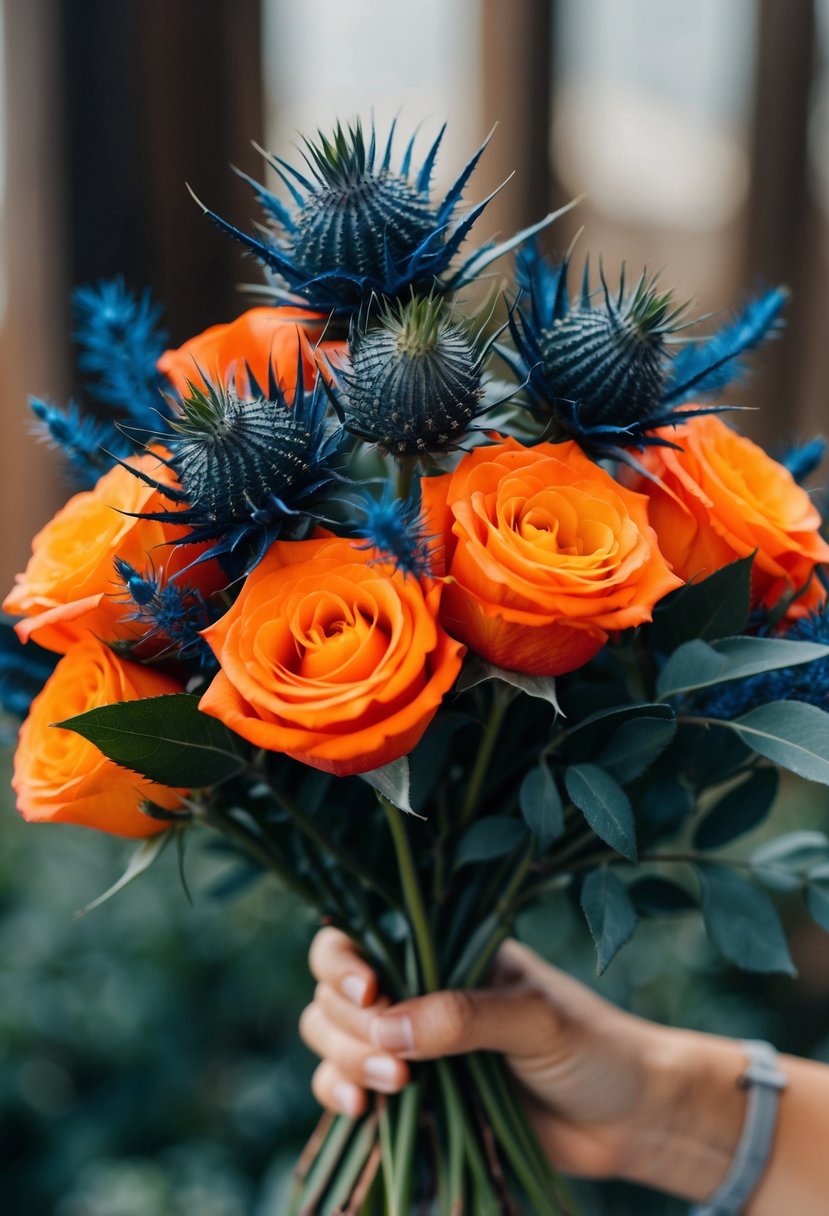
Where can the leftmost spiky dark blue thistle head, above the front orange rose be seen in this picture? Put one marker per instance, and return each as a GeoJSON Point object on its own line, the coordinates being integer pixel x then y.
{"type": "Point", "coordinates": [249, 469]}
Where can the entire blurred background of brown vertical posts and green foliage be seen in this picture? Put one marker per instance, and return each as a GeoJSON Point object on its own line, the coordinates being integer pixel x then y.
{"type": "Point", "coordinates": [149, 1059]}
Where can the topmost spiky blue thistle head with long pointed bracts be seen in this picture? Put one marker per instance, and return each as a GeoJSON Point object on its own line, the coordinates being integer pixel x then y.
{"type": "Point", "coordinates": [360, 229]}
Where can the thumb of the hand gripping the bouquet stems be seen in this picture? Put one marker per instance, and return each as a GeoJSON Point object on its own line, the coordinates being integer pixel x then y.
{"type": "Point", "coordinates": [517, 1023]}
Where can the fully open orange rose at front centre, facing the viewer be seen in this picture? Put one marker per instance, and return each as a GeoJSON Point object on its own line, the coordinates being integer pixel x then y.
{"type": "Point", "coordinates": [334, 661]}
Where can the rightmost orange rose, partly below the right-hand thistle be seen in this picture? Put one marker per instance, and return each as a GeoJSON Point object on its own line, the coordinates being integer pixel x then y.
{"type": "Point", "coordinates": [723, 498]}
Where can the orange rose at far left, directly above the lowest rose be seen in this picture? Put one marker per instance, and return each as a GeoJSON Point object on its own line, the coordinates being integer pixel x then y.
{"type": "Point", "coordinates": [70, 590]}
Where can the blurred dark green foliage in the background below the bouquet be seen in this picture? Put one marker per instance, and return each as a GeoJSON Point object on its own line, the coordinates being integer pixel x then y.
{"type": "Point", "coordinates": [150, 1063]}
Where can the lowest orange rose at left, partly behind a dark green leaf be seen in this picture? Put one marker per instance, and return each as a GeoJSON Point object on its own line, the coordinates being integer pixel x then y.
{"type": "Point", "coordinates": [61, 778]}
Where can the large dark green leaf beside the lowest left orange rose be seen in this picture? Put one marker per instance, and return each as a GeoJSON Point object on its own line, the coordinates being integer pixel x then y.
{"type": "Point", "coordinates": [165, 739]}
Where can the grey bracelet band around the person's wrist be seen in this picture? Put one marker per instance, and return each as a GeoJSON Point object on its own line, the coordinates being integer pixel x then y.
{"type": "Point", "coordinates": [764, 1082]}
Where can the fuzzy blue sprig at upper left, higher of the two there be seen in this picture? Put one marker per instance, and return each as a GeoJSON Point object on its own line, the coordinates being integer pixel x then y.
{"type": "Point", "coordinates": [121, 344]}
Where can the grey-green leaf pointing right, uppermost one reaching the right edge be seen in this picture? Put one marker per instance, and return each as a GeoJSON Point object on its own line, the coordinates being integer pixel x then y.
{"type": "Point", "coordinates": [701, 665]}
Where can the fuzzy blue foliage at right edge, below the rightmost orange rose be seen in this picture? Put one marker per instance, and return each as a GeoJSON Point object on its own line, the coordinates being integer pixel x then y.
{"type": "Point", "coordinates": [808, 682]}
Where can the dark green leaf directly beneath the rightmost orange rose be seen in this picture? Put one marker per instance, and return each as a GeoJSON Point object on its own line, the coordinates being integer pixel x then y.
{"type": "Point", "coordinates": [715, 607]}
